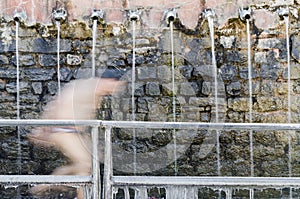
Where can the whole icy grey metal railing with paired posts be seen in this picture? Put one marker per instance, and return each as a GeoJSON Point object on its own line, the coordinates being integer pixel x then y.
{"type": "Point", "coordinates": [110, 180]}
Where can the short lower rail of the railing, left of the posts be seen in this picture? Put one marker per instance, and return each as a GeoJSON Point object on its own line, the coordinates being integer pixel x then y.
{"type": "Point", "coordinates": [47, 179]}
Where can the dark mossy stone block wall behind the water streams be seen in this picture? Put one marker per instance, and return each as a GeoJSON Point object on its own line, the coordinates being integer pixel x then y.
{"type": "Point", "coordinates": [153, 93]}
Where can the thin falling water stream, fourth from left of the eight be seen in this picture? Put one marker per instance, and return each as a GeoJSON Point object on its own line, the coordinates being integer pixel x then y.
{"type": "Point", "coordinates": [132, 92]}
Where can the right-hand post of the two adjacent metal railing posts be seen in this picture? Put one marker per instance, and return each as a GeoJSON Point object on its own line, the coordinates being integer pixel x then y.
{"type": "Point", "coordinates": [108, 172]}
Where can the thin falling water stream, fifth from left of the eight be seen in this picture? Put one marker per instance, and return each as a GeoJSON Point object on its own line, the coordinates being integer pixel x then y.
{"type": "Point", "coordinates": [174, 94]}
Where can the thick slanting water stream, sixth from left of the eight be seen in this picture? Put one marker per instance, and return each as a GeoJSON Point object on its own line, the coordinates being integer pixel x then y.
{"type": "Point", "coordinates": [215, 72]}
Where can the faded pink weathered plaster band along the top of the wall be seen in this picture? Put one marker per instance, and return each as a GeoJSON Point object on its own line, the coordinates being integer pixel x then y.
{"type": "Point", "coordinates": [115, 10]}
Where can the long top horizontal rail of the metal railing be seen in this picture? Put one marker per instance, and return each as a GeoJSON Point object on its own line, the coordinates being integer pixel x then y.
{"type": "Point", "coordinates": [154, 125]}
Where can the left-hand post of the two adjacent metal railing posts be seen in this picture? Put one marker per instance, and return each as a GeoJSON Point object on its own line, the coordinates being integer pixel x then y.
{"type": "Point", "coordinates": [95, 163]}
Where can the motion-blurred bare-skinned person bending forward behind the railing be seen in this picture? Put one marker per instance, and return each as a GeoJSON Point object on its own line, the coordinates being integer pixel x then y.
{"type": "Point", "coordinates": [78, 100]}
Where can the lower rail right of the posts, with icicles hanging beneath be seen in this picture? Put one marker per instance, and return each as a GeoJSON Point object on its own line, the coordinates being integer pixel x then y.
{"type": "Point", "coordinates": [243, 182]}
